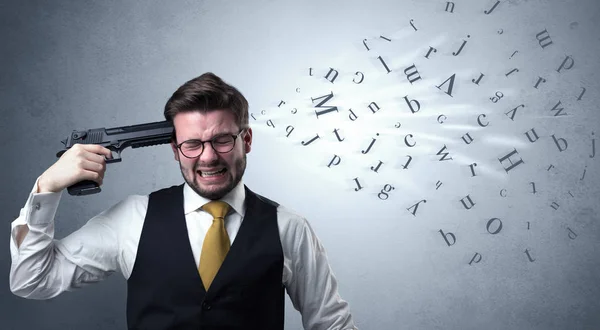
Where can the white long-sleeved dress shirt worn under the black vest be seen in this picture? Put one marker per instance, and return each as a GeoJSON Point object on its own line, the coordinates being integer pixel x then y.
{"type": "Point", "coordinates": [43, 267]}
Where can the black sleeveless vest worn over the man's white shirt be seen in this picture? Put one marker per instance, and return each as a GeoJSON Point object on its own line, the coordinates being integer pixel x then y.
{"type": "Point", "coordinates": [165, 291]}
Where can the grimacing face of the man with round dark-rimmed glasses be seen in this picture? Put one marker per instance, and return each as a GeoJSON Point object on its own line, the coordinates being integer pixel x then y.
{"type": "Point", "coordinates": [199, 172]}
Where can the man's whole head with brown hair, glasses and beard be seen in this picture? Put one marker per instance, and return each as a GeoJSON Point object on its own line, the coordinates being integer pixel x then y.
{"type": "Point", "coordinates": [207, 109]}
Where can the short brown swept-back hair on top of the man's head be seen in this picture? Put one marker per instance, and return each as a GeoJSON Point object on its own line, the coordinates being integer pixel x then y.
{"type": "Point", "coordinates": [205, 93]}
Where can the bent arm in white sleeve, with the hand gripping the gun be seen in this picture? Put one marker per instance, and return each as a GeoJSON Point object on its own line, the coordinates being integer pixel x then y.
{"type": "Point", "coordinates": [43, 267]}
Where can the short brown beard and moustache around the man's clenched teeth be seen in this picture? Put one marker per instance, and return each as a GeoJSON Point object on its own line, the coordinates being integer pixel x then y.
{"type": "Point", "coordinates": [211, 192]}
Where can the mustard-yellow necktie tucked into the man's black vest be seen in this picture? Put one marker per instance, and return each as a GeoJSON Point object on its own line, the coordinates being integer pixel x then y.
{"type": "Point", "coordinates": [216, 242]}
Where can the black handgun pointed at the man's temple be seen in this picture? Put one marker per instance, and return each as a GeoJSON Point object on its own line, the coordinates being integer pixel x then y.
{"type": "Point", "coordinates": [116, 139]}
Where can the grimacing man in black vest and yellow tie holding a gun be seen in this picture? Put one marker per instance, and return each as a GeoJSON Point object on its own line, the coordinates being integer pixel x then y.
{"type": "Point", "coordinates": [189, 264]}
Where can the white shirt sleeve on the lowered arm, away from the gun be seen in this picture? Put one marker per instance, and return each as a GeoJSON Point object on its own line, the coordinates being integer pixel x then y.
{"type": "Point", "coordinates": [312, 286]}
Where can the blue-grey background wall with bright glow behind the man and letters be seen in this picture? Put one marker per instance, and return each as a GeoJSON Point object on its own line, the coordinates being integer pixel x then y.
{"type": "Point", "coordinates": [81, 64]}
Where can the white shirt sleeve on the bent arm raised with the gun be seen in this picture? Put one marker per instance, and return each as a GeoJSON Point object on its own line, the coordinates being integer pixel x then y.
{"type": "Point", "coordinates": [43, 267]}
